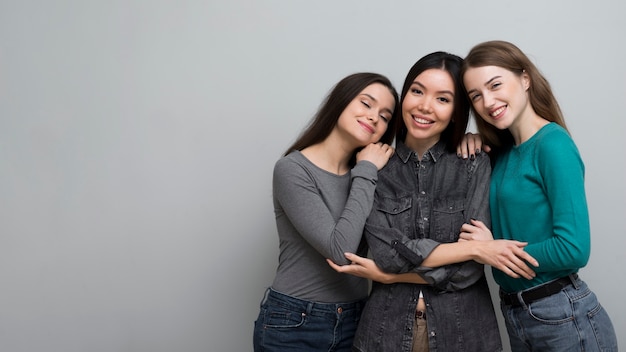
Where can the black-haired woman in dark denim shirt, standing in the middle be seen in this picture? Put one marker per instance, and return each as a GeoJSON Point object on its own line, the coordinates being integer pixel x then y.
{"type": "Point", "coordinates": [424, 198]}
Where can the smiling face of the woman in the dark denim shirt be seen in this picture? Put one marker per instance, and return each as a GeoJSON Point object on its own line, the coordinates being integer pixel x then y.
{"type": "Point", "coordinates": [427, 108]}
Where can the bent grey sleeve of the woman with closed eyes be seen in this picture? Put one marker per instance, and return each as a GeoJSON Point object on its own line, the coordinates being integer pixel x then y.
{"type": "Point", "coordinates": [298, 195]}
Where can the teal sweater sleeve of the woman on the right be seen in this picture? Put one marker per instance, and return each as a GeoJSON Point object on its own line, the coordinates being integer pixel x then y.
{"type": "Point", "coordinates": [562, 172]}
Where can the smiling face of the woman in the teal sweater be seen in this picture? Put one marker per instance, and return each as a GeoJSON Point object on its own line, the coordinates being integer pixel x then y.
{"type": "Point", "coordinates": [498, 95]}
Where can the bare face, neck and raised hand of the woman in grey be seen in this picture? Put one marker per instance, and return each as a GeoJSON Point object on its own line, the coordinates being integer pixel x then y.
{"type": "Point", "coordinates": [362, 123]}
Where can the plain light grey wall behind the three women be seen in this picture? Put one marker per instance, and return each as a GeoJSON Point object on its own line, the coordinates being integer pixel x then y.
{"type": "Point", "coordinates": [137, 140]}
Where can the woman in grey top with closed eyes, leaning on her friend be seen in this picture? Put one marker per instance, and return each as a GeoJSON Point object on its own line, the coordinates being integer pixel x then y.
{"type": "Point", "coordinates": [323, 190]}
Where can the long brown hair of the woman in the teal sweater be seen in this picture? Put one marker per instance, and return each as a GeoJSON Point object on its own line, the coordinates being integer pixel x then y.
{"type": "Point", "coordinates": [510, 57]}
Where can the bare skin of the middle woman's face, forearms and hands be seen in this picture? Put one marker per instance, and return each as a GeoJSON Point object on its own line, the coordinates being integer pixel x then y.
{"type": "Point", "coordinates": [427, 111]}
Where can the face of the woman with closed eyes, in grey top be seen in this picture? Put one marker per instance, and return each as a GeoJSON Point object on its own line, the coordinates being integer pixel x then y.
{"type": "Point", "coordinates": [365, 119]}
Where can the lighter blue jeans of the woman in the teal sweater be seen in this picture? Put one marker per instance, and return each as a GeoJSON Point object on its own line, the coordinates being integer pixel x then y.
{"type": "Point", "coordinates": [570, 320]}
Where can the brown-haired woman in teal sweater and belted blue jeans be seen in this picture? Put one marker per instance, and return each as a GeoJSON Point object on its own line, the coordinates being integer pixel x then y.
{"type": "Point", "coordinates": [537, 196]}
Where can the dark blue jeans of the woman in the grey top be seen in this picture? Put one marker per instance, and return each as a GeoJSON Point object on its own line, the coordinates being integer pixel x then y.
{"type": "Point", "coordinates": [287, 323]}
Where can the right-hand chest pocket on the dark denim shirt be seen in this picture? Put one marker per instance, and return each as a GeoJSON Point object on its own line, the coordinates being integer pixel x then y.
{"type": "Point", "coordinates": [447, 219]}
